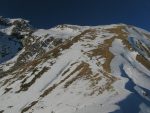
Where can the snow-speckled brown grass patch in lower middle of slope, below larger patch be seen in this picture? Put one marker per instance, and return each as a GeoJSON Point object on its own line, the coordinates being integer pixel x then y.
{"type": "Point", "coordinates": [85, 73]}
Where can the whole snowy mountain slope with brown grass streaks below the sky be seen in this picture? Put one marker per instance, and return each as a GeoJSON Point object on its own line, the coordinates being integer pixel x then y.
{"type": "Point", "coordinates": [74, 69]}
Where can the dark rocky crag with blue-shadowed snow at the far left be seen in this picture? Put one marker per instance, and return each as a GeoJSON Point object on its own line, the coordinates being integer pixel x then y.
{"type": "Point", "coordinates": [12, 43]}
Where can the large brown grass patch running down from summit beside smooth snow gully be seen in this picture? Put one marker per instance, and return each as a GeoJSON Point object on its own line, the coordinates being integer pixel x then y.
{"type": "Point", "coordinates": [103, 49]}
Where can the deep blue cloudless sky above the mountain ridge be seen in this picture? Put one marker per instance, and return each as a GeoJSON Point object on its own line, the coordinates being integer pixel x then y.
{"type": "Point", "coordinates": [48, 13]}
